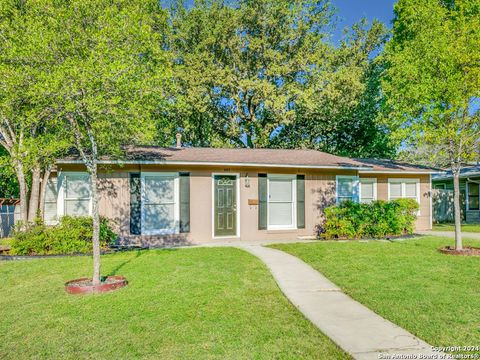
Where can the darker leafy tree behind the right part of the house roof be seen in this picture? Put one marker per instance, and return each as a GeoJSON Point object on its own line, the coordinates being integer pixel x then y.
{"type": "Point", "coordinates": [339, 111]}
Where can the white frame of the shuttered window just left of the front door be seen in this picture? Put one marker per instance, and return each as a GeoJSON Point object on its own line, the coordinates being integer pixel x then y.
{"type": "Point", "coordinates": [176, 209]}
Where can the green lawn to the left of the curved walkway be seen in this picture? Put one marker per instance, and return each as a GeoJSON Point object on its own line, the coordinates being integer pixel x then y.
{"type": "Point", "coordinates": [180, 304]}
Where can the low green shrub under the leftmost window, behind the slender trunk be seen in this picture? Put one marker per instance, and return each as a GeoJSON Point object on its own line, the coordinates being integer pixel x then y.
{"type": "Point", "coordinates": [71, 236]}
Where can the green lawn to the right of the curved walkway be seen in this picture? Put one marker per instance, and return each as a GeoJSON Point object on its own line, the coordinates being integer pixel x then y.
{"type": "Point", "coordinates": [434, 296]}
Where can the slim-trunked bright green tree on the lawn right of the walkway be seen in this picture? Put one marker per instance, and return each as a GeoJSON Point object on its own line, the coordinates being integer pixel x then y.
{"type": "Point", "coordinates": [432, 83]}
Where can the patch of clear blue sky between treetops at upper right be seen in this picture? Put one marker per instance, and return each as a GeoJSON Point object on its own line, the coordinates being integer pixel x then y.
{"type": "Point", "coordinates": [350, 11]}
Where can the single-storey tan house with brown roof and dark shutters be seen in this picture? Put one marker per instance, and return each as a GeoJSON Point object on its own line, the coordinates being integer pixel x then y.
{"type": "Point", "coordinates": [193, 195]}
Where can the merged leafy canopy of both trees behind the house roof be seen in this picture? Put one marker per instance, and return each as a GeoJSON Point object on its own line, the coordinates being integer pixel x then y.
{"type": "Point", "coordinates": [266, 74]}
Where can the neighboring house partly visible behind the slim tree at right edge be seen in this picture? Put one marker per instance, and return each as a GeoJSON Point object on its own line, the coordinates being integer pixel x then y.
{"type": "Point", "coordinates": [469, 192]}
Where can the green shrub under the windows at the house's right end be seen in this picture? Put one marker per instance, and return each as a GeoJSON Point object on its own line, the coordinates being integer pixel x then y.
{"type": "Point", "coordinates": [350, 220]}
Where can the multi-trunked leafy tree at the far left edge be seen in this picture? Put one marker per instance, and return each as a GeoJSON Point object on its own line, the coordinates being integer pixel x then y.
{"type": "Point", "coordinates": [29, 131]}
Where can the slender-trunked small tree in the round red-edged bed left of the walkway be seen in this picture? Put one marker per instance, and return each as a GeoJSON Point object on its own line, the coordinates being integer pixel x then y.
{"type": "Point", "coordinates": [109, 80]}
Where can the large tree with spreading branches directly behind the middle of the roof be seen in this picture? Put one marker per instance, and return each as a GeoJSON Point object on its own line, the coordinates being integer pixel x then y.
{"type": "Point", "coordinates": [241, 66]}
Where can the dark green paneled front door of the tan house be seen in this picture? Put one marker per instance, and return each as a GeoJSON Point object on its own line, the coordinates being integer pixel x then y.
{"type": "Point", "coordinates": [225, 211]}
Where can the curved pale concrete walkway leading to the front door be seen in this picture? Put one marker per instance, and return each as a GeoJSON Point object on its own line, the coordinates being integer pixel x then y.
{"type": "Point", "coordinates": [353, 327]}
